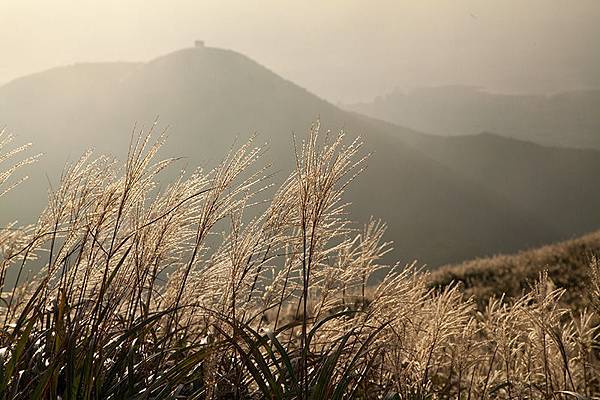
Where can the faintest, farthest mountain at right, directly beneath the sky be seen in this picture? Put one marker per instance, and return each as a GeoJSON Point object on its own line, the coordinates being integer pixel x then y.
{"type": "Point", "coordinates": [570, 119]}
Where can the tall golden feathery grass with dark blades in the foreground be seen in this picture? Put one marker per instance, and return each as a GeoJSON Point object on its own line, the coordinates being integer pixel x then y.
{"type": "Point", "coordinates": [202, 289]}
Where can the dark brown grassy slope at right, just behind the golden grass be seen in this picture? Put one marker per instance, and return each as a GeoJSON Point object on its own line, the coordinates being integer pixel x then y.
{"type": "Point", "coordinates": [566, 262]}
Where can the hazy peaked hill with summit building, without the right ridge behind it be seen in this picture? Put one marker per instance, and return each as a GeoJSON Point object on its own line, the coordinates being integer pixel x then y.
{"type": "Point", "coordinates": [436, 213]}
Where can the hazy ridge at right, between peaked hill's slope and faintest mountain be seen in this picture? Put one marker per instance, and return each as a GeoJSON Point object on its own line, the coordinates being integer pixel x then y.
{"type": "Point", "coordinates": [547, 182]}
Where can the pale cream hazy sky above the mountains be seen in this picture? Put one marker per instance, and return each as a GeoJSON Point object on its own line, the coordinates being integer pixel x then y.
{"type": "Point", "coordinates": [344, 50]}
